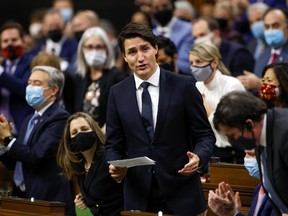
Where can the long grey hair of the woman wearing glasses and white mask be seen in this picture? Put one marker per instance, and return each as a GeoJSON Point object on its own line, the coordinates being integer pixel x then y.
{"type": "Point", "coordinates": [82, 66]}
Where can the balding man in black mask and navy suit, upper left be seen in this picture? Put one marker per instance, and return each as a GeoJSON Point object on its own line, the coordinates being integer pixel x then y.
{"type": "Point", "coordinates": [55, 41]}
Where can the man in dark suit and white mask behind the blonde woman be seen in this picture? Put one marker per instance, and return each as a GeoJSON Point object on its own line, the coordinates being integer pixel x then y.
{"type": "Point", "coordinates": [235, 57]}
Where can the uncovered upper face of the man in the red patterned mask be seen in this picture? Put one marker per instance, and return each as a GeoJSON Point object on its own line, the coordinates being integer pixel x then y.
{"type": "Point", "coordinates": [11, 37]}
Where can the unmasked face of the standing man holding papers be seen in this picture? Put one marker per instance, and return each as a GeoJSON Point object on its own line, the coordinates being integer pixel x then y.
{"type": "Point", "coordinates": [141, 57]}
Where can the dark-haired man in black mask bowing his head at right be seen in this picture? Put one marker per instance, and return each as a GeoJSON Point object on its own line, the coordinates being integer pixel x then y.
{"type": "Point", "coordinates": [247, 123]}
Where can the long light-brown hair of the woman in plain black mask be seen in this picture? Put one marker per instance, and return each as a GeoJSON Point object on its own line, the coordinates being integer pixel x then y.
{"type": "Point", "coordinates": [70, 162]}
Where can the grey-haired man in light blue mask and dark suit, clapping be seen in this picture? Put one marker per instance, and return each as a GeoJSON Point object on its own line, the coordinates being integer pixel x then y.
{"type": "Point", "coordinates": [33, 153]}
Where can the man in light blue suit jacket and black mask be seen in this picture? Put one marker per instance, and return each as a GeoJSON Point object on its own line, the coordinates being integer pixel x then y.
{"type": "Point", "coordinates": [177, 30]}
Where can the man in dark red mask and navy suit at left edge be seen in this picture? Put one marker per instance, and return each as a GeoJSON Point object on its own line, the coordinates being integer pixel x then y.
{"type": "Point", "coordinates": [14, 74]}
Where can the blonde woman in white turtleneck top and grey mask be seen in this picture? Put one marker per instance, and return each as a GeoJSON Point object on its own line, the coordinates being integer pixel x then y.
{"type": "Point", "coordinates": [213, 81]}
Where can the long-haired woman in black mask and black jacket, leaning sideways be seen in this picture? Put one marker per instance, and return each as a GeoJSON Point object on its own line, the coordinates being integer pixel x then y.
{"type": "Point", "coordinates": [81, 154]}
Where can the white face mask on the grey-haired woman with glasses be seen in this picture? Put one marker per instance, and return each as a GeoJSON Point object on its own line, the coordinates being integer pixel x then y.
{"type": "Point", "coordinates": [95, 58]}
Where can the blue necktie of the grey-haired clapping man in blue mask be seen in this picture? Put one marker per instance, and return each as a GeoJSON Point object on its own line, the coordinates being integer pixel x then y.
{"type": "Point", "coordinates": [18, 173]}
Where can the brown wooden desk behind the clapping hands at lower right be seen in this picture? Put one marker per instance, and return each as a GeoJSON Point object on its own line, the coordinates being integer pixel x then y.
{"type": "Point", "coordinates": [238, 178]}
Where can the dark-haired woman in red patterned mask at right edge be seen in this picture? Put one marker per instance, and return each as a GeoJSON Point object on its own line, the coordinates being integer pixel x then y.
{"type": "Point", "coordinates": [274, 85]}
